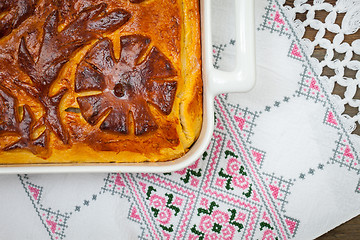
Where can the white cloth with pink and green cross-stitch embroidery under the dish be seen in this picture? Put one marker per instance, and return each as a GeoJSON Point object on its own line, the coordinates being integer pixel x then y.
{"type": "Point", "coordinates": [281, 164]}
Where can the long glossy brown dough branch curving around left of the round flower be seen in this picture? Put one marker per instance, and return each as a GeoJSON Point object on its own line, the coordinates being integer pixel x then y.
{"type": "Point", "coordinates": [55, 51]}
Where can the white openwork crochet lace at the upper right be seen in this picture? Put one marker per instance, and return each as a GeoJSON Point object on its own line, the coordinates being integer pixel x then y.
{"type": "Point", "coordinates": [330, 34]}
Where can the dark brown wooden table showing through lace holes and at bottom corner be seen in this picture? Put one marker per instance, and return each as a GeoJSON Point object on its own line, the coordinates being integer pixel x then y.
{"type": "Point", "coordinates": [351, 229]}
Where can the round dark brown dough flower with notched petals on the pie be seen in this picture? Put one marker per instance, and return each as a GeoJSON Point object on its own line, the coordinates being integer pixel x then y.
{"type": "Point", "coordinates": [126, 85]}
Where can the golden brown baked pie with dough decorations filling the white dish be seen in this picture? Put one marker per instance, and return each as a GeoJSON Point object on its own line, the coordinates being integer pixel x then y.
{"type": "Point", "coordinates": [100, 81]}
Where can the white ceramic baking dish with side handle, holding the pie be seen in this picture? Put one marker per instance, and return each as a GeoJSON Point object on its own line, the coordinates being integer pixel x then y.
{"type": "Point", "coordinates": [241, 79]}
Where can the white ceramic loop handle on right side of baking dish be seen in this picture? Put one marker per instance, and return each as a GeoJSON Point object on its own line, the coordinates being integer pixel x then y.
{"type": "Point", "coordinates": [242, 78]}
